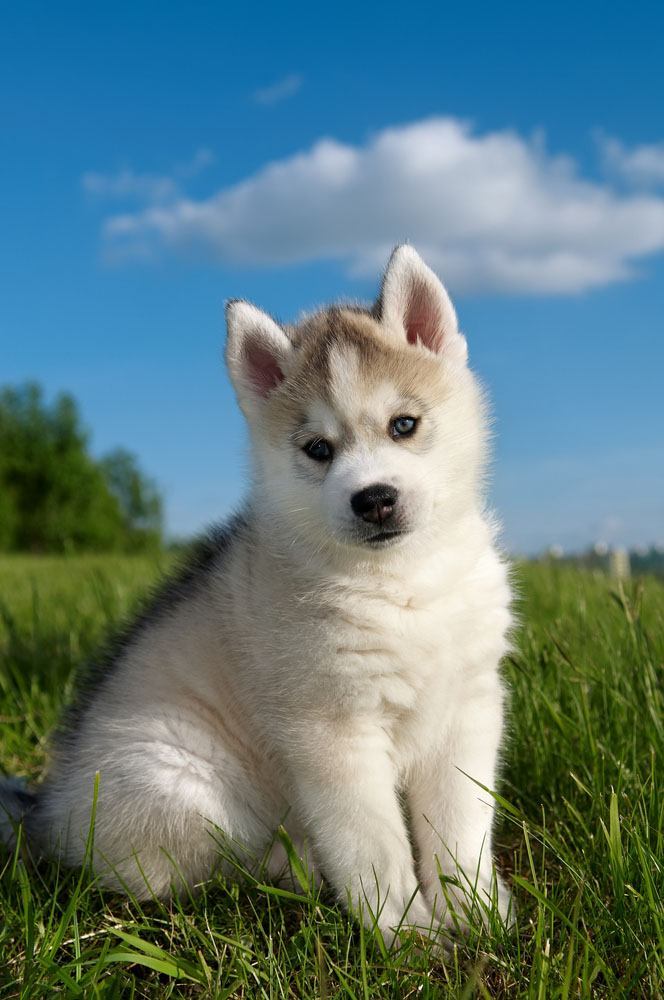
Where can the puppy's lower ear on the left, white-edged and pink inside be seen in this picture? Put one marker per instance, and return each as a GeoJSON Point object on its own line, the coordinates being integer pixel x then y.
{"type": "Point", "coordinates": [257, 350]}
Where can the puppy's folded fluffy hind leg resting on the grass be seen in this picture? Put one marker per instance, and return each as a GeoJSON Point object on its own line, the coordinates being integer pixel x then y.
{"type": "Point", "coordinates": [161, 810]}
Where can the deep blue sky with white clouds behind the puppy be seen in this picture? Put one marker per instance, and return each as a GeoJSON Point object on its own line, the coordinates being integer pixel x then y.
{"type": "Point", "coordinates": [158, 159]}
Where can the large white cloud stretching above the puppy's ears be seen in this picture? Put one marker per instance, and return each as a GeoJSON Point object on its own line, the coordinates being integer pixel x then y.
{"type": "Point", "coordinates": [490, 211]}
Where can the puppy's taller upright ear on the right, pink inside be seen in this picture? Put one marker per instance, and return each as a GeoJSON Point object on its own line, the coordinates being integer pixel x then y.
{"type": "Point", "coordinates": [414, 306]}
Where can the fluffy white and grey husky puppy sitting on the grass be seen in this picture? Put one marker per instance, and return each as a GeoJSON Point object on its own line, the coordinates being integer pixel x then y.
{"type": "Point", "coordinates": [331, 660]}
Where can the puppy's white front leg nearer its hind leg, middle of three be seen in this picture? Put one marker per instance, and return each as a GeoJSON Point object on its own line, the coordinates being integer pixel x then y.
{"type": "Point", "coordinates": [345, 793]}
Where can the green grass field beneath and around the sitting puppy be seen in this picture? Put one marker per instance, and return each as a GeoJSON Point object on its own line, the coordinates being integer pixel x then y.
{"type": "Point", "coordinates": [580, 833]}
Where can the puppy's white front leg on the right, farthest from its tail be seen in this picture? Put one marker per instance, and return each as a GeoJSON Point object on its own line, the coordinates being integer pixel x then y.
{"type": "Point", "coordinates": [452, 815]}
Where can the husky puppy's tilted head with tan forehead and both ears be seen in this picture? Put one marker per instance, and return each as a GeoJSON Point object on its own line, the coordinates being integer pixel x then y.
{"type": "Point", "coordinates": [367, 425]}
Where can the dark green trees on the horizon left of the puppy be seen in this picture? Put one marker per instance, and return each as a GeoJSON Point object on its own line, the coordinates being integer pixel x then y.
{"type": "Point", "coordinates": [55, 496]}
